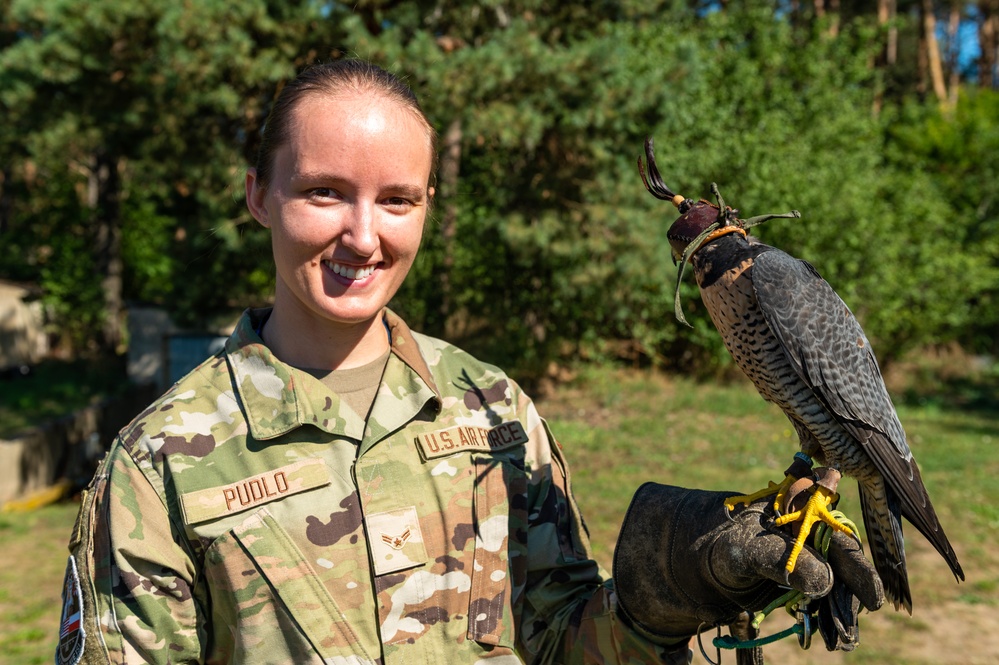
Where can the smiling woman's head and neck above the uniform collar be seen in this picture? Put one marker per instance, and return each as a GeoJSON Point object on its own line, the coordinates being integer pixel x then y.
{"type": "Point", "coordinates": [345, 195]}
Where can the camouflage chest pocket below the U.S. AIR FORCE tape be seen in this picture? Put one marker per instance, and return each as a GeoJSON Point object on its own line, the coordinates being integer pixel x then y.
{"type": "Point", "coordinates": [499, 491]}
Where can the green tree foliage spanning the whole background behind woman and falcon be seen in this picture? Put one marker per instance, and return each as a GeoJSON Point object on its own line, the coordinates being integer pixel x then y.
{"type": "Point", "coordinates": [556, 248]}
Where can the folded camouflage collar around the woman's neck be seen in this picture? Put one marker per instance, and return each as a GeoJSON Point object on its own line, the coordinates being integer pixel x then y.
{"type": "Point", "coordinates": [278, 398]}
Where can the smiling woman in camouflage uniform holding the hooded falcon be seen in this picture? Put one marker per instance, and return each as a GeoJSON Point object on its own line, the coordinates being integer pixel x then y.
{"type": "Point", "coordinates": [334, 487]}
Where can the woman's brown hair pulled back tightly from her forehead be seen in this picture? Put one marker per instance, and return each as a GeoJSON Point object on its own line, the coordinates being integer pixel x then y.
{"type": "Point", "coordinates": [333, 78]}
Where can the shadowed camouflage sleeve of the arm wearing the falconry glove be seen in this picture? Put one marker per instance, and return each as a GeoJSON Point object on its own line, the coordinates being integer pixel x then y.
{"type": "Point", "coordinates": [569, 613]}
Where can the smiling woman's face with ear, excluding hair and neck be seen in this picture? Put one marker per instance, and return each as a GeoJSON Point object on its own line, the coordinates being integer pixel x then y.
{"type": "Point", "coordinates": [346, 204]}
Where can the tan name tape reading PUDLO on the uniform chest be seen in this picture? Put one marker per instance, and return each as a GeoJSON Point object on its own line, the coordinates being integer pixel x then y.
{"type": "Point", "coordinates": [215, 502]}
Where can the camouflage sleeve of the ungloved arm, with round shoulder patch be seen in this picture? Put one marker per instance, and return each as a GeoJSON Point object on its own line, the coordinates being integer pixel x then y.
{"type": "Point", "coordinates": [135, 578]}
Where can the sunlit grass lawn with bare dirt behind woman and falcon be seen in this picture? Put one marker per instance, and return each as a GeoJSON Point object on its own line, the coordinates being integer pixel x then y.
{"type": "Point", "coordinates": [620, 429]}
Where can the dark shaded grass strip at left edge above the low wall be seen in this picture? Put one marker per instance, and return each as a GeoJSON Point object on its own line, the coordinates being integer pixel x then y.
{"type": "Point", "coordinates": [52, 389]}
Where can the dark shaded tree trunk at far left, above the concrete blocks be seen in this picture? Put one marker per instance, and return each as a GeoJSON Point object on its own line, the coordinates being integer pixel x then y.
{"type": "Point", "coordinates": [104, 194]}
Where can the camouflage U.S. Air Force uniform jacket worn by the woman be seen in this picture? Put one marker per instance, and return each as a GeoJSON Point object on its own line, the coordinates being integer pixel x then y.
{"type": "Point", "coordinates": [250, 516]}
